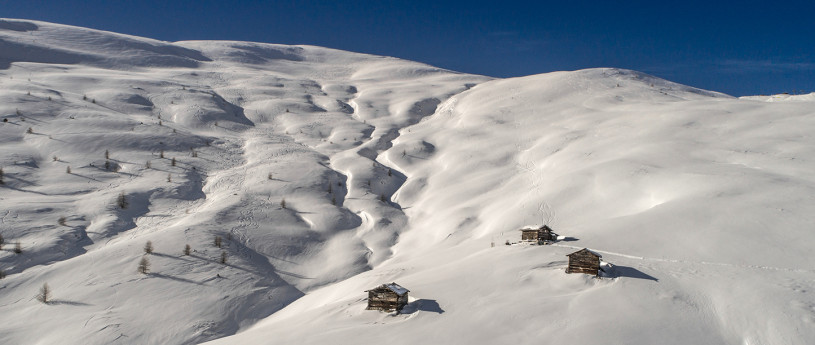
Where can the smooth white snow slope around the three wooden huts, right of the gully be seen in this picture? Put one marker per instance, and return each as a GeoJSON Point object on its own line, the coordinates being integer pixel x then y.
{"type": "Point", "coordinates": [700, 201]}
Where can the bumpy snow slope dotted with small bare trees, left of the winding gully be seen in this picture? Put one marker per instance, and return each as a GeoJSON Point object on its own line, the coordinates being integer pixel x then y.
{"type": "Point", "coordinates": [178, 144]}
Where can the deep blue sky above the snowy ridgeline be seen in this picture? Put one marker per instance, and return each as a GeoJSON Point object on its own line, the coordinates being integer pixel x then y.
{"type": "Point", "coordinates": [740, 48]}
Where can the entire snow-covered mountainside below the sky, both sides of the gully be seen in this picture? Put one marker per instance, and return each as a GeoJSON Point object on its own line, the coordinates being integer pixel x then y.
{"type": "Point", "coordinates": [325, 173]}
